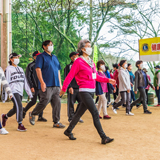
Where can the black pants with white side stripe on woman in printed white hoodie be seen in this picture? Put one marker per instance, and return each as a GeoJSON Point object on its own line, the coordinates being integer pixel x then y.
{"type": "Point", "coordinates": [17, 108]}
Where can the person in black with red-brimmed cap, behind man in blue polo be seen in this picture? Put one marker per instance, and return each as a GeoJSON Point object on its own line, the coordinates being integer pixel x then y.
{"type": "Point", "coordinates": [32, 79]}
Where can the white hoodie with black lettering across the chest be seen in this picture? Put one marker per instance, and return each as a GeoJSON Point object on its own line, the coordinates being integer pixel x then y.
{"type": "Point", "coordinates": [17, 81]}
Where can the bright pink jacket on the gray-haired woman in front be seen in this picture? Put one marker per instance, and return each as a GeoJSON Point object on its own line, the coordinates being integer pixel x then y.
{"type": "Point", "coordinates": [83, 75]}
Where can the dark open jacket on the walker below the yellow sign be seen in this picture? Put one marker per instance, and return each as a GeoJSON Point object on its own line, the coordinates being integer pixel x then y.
{"type": "Point", "coordinates": [139, 80]}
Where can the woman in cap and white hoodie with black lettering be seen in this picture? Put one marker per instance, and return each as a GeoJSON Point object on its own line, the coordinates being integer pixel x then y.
{"type": "Point", "coordinates": [17, 82]}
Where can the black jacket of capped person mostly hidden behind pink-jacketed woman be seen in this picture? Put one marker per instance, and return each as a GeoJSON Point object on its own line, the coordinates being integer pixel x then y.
{"type": "Point", "coordinates": [73, 84]}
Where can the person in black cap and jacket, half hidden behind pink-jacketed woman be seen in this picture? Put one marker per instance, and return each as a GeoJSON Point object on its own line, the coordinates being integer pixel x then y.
{"type": "Point", "coordinates": [73, 90]}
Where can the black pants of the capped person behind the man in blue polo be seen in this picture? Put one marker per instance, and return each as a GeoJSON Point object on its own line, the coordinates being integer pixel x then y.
{"type": "Point", "coordinates": [33, 102]}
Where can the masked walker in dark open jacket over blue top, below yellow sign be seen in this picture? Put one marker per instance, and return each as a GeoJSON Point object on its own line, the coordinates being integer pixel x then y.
{"type": "Point", "coordinates": [141, 82]}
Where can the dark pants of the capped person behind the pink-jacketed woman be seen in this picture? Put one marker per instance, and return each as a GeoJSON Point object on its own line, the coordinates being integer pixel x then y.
{"type": "Point", "coordinates": [72, 98]}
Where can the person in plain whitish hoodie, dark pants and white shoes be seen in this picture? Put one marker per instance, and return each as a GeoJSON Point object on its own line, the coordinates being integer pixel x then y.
{"type": "Point", "coordinates": [124, 87]}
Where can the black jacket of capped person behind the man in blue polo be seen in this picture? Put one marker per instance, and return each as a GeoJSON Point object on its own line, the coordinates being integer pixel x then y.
{"type": "Point", "coordinates": [31, 75]}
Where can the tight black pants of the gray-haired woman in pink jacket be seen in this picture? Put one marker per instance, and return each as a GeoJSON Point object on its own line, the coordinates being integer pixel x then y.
{"type": "Point", "coordinates": [87, 103]}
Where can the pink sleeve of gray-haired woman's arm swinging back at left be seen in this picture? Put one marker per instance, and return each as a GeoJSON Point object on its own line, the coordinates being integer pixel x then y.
{"type": "Point", "coordinates": [74, 70]}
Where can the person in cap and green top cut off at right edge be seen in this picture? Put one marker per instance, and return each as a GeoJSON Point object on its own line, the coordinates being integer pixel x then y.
{"type": "Point", "coordinates": [157, 83]}
